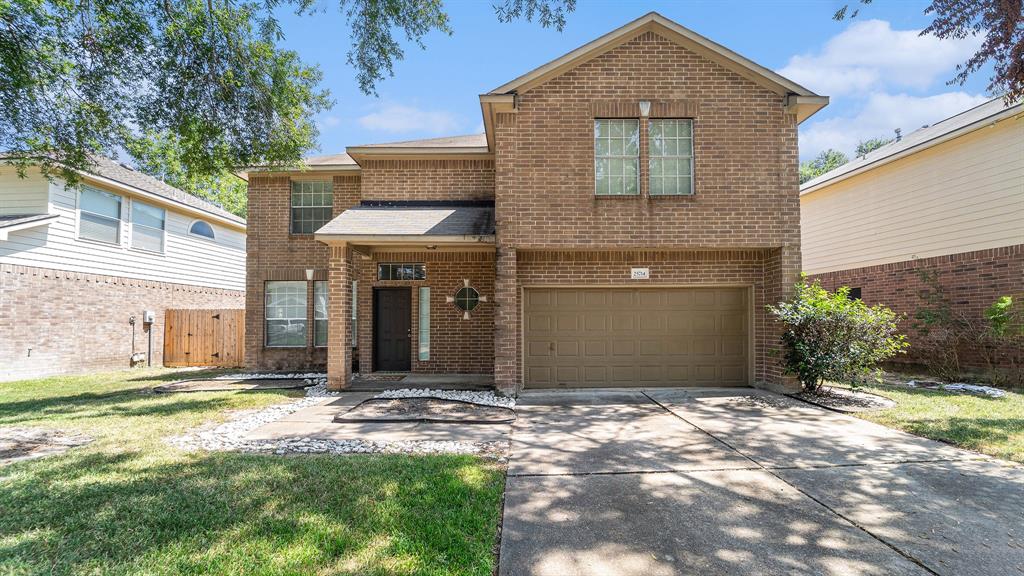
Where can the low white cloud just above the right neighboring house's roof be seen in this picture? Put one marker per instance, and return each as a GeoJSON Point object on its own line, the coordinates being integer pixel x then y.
{"type": "Point", "coordinates": [881, 114]}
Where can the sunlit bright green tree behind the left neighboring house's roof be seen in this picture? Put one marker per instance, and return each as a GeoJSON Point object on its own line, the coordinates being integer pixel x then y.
{"type": "Point", "coordinates": [160, 156]}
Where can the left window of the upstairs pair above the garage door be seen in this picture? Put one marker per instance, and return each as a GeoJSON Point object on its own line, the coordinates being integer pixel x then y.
{"type": "Point", "coordinates": [617, 157]}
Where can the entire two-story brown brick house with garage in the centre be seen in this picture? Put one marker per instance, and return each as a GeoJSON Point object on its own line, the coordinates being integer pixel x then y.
{"type": "Point", "coordinates": [624, 221]}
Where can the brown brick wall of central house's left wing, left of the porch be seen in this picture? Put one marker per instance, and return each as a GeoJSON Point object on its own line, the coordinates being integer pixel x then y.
{"type": "Point", "coordinates": [275, 254]}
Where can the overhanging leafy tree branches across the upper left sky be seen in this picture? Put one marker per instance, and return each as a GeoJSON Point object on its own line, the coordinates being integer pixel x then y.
{"type": "Point", "coordinates": [79, 79]}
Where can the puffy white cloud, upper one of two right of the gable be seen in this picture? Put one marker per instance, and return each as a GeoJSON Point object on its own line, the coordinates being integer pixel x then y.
{"type": "Point", "coordinates": [870, 56]}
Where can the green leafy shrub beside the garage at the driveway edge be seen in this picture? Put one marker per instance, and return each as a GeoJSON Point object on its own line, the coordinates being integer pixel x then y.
{"type": "Point", "coordinates": [832, 338]}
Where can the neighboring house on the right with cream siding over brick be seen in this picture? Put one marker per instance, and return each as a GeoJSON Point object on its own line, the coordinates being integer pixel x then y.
{"type": "Point", "coordinates": [948, 199]}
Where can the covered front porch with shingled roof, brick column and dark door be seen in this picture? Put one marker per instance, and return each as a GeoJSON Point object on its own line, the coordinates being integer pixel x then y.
{"type": "Point", "coordinates": [411, 290]}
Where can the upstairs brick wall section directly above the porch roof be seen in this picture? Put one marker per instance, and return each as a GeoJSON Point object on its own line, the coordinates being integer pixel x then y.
{"type": "Point", "coordinates": [429, 180]}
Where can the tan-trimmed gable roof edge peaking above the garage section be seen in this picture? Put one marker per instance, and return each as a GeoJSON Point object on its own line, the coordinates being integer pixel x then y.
{"type": "Point", "coordinates": [671, 30]}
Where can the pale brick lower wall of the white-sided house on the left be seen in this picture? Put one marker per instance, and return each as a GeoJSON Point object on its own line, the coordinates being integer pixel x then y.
{"type": "Point", "coordinates": [77, 323]}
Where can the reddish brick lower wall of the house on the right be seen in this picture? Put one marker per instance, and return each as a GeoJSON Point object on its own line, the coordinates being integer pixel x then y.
{"type": "Point", "coordinates": [972, 281]}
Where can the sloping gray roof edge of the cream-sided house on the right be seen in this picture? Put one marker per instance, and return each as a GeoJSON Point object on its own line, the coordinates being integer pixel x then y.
{"type": "Point", "coordinates": [921, 139]}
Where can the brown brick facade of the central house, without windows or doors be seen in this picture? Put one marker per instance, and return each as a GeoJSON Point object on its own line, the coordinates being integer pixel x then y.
{"type": "Point", "coordinates": [741, 228]}
